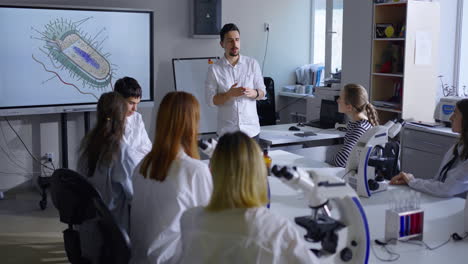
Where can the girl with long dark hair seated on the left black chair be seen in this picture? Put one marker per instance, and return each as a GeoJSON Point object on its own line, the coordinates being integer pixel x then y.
{"type": "Point", "coordinates": [107, 162]}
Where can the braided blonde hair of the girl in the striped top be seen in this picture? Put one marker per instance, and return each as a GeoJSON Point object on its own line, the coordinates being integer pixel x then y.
{"type": "Point", "coordinates": [356, 96]}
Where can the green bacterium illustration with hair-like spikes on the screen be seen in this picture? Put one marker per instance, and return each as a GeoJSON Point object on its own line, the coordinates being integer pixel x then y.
{"type": "Point", "coordinates": [69, 47]}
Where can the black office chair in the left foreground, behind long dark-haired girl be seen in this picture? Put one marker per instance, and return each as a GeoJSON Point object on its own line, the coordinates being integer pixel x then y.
{"type": "Point", "coordinates": [78, 202]}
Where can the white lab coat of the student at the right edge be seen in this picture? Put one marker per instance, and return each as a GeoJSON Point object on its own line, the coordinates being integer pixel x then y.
{"type": "Point", "coordinates": [456, 182]}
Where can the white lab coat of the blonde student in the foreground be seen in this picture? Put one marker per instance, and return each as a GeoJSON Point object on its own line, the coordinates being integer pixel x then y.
{"type": "Point", "coordinates": [253, 235]}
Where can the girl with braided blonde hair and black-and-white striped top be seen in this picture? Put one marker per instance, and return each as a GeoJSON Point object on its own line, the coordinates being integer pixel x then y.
{"type": "Point", "coordinates": [362, 116]}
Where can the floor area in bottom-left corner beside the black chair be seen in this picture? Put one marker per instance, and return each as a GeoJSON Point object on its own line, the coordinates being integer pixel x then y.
{"type": "Point", "coordinates": [28, 234]}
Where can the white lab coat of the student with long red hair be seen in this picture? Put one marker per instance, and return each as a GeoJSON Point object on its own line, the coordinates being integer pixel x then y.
{"type": "Point", "coordinates": [158, 206]}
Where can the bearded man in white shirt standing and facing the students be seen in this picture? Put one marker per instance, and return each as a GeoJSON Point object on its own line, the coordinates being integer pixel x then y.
{"type": "Point", "coordinates": [233, 84]}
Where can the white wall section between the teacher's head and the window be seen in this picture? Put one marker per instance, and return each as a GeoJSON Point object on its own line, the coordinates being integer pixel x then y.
{"type": "Point", "coordinates": [289, 40]}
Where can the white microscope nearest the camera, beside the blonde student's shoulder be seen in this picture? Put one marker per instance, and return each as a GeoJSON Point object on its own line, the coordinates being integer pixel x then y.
{"type": "Point", "coordinates": [338, 221]}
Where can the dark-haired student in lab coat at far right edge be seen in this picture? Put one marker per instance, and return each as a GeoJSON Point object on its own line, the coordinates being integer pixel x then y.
{"type": "Point", "coordinates": [452, 176]}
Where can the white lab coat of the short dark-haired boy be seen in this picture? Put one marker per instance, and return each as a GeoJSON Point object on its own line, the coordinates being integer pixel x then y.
{"type": "Point", "coordinates": [135, 136]}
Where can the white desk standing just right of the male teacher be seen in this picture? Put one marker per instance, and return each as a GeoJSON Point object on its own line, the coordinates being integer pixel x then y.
{"type": "Point", "coordinates": [279, 135]}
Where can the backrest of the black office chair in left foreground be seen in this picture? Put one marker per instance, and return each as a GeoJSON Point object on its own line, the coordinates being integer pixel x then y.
{"type": "Point", "coordinates": [73, 196]}
